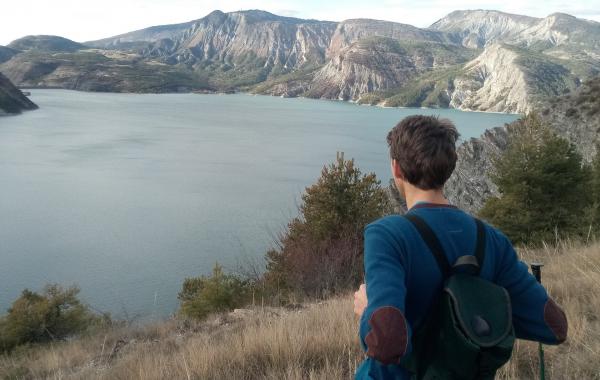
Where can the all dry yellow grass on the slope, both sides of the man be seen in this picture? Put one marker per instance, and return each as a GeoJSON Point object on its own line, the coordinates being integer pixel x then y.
{"type": "Point", "coordinates": [318, 341]}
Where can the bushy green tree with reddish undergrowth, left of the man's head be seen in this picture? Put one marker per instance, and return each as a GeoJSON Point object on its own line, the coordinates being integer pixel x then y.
{"type": "Point", "coordinates": [321, 252]}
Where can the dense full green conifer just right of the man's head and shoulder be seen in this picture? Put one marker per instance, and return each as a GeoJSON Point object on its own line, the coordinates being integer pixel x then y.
{"type": "Point", "coordinates": [541, 182]}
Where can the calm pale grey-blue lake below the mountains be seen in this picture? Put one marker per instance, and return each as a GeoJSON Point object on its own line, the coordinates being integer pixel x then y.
{"type": "Point", "coordinates": [125, 195]}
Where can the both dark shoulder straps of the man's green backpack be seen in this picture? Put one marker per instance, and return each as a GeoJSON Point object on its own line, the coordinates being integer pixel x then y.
{"type": "Point", "coordinates": [435, 246]}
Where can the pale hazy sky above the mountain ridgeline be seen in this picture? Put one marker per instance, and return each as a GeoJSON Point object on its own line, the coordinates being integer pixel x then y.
{"type": "Point", "coordinates": [84, 20]}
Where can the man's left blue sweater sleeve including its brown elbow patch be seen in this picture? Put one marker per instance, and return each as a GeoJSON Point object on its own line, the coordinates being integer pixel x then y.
{"type": "Point", "coordinates": [384, 330]}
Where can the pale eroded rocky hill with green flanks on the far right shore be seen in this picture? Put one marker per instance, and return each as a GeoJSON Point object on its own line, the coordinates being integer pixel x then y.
{"type": "Point", "coordinates": [503, 78]}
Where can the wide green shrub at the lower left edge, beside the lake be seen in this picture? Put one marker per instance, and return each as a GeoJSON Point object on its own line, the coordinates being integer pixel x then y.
{"type": "Point", "coordinates": [56, 314]}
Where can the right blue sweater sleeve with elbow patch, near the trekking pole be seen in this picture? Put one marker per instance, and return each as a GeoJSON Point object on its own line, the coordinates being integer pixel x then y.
{"type": "Point", "coordinates": [535, 315]}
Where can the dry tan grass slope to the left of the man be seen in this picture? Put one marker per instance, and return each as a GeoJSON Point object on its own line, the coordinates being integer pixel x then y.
{"type": "Point", "coordinates": [318, 341]}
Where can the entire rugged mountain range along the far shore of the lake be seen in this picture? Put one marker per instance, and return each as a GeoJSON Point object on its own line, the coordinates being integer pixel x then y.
{"type": "Point", "coordinates": [472, 60]}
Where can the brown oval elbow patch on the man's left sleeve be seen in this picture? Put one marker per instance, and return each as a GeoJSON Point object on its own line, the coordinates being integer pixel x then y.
{"type": "Point", "coordinates": [387, 341]}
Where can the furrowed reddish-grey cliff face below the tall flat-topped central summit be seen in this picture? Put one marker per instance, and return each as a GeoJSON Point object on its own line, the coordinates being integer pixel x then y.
{"type": "Point", "coordinates": [240, 36]}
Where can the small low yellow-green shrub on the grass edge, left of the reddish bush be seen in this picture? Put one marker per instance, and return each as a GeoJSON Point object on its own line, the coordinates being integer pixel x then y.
{"type": "Point", "coordinates": [203, 295]}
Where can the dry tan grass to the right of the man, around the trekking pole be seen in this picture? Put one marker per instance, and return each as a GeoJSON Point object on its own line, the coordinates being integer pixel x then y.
{"type": "Point", "coordinates": [572, 277]}
